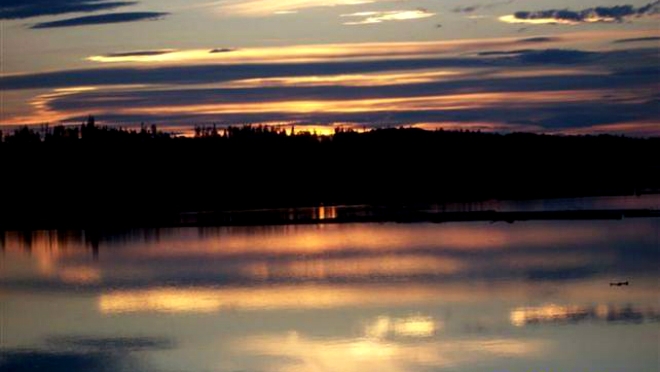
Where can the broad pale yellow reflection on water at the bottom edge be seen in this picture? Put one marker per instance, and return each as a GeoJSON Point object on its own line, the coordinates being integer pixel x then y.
{"type": "Point", "coordinates": [303, 353]}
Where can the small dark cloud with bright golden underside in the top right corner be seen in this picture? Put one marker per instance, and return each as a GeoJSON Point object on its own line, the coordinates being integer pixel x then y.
{"type": "Point", "coordinates": [617, 13]}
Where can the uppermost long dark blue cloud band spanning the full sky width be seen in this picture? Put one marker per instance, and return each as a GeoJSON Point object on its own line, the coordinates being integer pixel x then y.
{"type": "Point", "coordinates": [218, 73]}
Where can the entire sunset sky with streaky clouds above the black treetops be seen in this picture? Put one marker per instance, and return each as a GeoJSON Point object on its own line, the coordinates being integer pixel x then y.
{"type": "Point", "coordinates": [552, 66]}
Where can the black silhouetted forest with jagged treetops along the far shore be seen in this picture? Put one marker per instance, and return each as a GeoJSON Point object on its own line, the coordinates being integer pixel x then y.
{"type": "Point", "coordinates": [89, 174]}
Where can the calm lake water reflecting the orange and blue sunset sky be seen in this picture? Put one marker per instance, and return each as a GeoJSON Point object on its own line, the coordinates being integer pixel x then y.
{"type": "Point", "coordinates": [530, 296]}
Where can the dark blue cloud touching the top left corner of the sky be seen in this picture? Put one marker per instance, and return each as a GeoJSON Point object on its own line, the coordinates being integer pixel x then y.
{"type": "Point", "coordinates": [19, 9]}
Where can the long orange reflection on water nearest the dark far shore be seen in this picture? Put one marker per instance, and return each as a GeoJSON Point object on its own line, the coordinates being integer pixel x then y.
{"type": "Point", "coordinates": [287, 240]}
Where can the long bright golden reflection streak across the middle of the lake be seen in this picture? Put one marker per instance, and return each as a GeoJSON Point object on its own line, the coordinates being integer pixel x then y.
{"type": "Point", "coordinates": [204, 300]}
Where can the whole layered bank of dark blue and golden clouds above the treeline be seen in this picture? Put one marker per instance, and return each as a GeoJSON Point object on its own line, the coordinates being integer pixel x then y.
{"type": "Point", "coordinates": [543, 81]}
